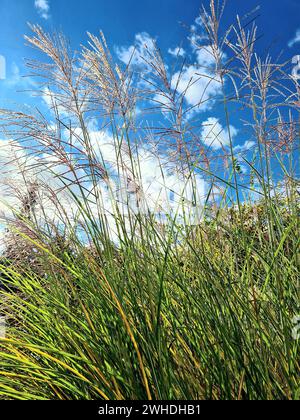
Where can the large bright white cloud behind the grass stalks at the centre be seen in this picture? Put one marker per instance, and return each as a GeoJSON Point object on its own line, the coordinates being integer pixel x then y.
{"type": "Point", "coordinates": [157, 182]}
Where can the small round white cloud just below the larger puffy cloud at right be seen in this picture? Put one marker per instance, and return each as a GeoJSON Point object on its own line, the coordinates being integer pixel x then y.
{"type": "Point", "coordinates": [214, 135]}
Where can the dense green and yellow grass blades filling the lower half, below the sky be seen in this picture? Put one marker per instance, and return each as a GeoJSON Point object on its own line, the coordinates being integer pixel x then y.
{"type": "Point", "coordinates": [209, 318]}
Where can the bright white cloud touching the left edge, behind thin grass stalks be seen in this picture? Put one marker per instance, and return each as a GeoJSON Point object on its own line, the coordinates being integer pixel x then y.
{"type": "Point", "coordinates": [18, 169]}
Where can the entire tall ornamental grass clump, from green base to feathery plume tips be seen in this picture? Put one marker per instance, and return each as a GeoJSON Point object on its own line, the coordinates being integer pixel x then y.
{"type": "Point", "coordinates": [148, 257]}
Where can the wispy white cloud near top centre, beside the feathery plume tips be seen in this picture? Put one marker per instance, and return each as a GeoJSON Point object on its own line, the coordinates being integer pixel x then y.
{"type": "Point", "coordinates": [137, 53]}
